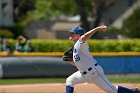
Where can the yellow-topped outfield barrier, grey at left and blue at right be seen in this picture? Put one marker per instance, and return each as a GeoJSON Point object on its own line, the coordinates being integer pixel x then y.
{"type": "Point", "coordinates": [50, 64]}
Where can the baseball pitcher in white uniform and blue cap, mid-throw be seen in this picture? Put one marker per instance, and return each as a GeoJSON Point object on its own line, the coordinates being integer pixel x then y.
{"type": "Point", "coordinates": [88, 68]}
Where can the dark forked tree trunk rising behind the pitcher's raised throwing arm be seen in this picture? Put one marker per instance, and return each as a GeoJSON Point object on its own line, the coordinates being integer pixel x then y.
{"type": "Point", "coordinates": [98, 8]}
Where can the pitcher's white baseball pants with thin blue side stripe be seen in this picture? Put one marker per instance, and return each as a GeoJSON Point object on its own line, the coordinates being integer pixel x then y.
{"type": "Point", "coordinates": [95, 76]}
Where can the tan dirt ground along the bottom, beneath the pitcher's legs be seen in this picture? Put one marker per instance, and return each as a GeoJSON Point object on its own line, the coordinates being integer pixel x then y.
{"type": "Point", "coordinates": [55, 88]}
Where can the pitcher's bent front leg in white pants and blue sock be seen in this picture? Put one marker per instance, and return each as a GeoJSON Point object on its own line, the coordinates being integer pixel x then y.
{"type": "Point", "coordinates": [75, 78]}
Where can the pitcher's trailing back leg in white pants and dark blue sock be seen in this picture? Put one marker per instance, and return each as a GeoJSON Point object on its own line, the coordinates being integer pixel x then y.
{"type": "Point", "coordinates": [101, 80]}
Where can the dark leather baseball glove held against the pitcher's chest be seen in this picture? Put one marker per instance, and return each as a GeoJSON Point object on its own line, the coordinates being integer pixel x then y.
{"type": "Point", "coordinates": [68, 54]}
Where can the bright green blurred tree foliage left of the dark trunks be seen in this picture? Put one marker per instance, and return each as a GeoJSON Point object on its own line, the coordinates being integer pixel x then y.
{"type": "Point", "coordinates": [47, 9]}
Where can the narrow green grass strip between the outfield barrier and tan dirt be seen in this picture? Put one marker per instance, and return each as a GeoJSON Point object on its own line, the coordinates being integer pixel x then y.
{"type": "Point", "coordinates": [112, 78]}
